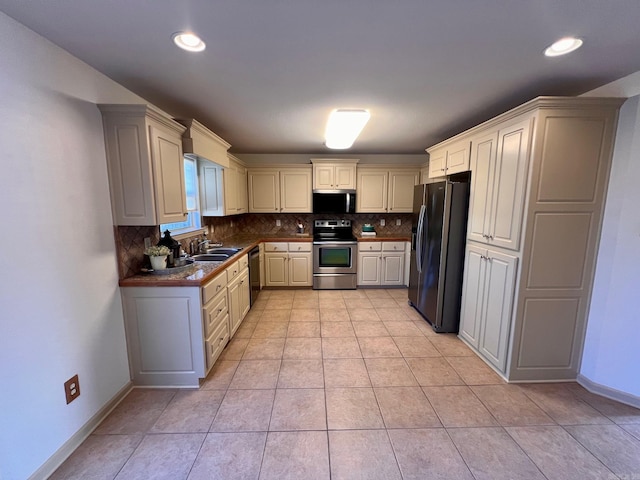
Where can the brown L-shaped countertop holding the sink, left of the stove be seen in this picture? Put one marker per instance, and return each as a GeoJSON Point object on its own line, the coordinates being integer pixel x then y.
{"type": "Point", "coordinates": [201, 272]}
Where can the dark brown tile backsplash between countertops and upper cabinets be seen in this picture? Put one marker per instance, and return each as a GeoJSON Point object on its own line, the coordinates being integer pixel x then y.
{"type": "Point", "coordinates": [130, 240]}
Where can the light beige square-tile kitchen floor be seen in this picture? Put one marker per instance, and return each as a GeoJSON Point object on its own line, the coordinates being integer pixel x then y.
{"type": "Point", "coordinates": [356, 385]}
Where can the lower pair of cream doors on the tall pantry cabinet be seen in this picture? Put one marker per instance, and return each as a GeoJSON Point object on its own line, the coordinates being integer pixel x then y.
{"type": "Point", "coordinates": [487, 300]}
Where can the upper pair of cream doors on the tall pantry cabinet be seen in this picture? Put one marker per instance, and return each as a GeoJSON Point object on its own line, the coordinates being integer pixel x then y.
{"type": "Point", "coordinates": [499, 162]}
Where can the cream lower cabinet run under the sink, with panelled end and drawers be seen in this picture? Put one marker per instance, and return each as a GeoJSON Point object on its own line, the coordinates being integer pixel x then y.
{"type": "Point", "coordinates": [175, 334]}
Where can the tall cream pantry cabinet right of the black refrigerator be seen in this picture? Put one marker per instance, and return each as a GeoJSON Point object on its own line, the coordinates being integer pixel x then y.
{"type": "Point", "coordinates": [539, 174]}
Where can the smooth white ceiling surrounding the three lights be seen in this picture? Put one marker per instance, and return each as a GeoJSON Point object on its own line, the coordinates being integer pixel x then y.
{"type": "Point", "coordinates": [274, 69]}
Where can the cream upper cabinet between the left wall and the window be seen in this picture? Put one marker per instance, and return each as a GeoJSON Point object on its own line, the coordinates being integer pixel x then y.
{"type": "Point", "coordinates": [144, 158]}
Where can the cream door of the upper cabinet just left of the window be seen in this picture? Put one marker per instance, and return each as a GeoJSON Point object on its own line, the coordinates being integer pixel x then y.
{"type": "Point", "coordinates": [168, 171]}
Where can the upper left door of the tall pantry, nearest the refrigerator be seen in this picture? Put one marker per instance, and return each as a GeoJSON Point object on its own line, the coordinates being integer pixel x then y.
{"type": "Point", "coordinates": [483, 158]}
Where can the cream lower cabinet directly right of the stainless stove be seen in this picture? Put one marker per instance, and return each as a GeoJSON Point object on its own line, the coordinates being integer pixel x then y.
{"type": "Point", "coordinates": [381, 263]}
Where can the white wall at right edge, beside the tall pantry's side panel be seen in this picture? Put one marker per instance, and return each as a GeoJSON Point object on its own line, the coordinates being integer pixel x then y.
{"type": "Point", "coordinates": [611, 355]}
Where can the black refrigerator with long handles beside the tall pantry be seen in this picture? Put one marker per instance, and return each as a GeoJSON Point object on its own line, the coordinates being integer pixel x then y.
{"type": "Point", "coordinates": [437, 251]}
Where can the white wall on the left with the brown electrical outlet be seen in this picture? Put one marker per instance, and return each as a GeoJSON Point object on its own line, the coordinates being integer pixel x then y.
{"type": "Point", "coordinates": [60, 310]}
